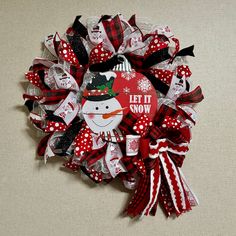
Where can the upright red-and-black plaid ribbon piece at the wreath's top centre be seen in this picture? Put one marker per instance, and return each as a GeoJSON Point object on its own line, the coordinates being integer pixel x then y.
{"type": "Point", "coordinates": [114, 31]}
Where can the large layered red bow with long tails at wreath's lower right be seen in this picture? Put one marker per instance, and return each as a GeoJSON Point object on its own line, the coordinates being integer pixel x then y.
{"type": "Point", "coordinates": [163, 146]}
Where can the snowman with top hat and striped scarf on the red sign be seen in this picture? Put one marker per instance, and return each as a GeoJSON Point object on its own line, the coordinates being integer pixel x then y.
{"type": "Point", "coordinates": [102, 111]}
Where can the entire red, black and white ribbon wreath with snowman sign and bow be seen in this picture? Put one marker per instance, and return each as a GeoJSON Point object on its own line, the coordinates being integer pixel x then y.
{"type": "Point", "coordinates": [114, 98]}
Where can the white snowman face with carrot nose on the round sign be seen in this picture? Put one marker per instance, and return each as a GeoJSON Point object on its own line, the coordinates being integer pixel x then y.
{"type": "Point", "coordinates": [102, 115]}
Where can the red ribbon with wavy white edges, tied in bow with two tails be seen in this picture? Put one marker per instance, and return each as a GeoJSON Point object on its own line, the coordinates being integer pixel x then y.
{"type": "Point", "coordinates": [174, 180]}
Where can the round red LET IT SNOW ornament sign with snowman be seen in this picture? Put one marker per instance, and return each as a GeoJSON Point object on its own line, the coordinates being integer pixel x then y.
{"type": "Point", "coordinates": [111, 95]}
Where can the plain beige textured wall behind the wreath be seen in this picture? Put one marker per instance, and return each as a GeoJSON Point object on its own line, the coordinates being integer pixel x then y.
{"type": "Point", "coordinates": [42, 200]}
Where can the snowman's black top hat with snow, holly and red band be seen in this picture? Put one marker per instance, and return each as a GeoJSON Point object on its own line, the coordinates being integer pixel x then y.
{"type": "Point", "coordinates": [100, 88]}
